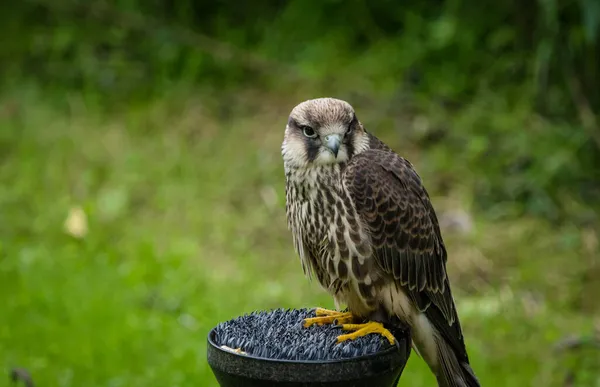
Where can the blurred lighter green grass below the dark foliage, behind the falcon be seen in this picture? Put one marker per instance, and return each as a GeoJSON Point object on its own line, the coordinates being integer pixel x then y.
{"type": "Point", "coordinates": [186, 228]}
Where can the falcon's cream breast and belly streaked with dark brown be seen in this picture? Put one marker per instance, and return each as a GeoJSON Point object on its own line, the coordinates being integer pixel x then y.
{"type": "Point", "coordinates": [329, 236]}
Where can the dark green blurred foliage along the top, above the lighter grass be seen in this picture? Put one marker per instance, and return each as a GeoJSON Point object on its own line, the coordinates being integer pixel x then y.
{"type": "Point", "coordinates": [527, 62]}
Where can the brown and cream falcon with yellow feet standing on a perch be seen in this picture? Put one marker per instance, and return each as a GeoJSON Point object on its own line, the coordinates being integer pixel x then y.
{"type": "Point", "coordinates": [363, 224]}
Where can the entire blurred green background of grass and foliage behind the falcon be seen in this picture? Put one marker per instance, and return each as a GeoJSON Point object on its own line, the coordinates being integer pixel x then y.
{"type": "Point", "coordinates": [142, 188]}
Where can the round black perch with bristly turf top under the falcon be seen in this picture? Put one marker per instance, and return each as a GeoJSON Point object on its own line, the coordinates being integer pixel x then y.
{"type": "Point", "coordinates": [272, 348]}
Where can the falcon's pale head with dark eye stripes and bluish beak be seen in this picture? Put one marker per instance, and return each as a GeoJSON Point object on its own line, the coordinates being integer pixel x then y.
{"type": "Point", "coordinates": [322, 131]}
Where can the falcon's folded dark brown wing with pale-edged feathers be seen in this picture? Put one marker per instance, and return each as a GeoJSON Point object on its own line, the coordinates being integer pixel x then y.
{"type": "Point", "coordinates": [405, 235]}
